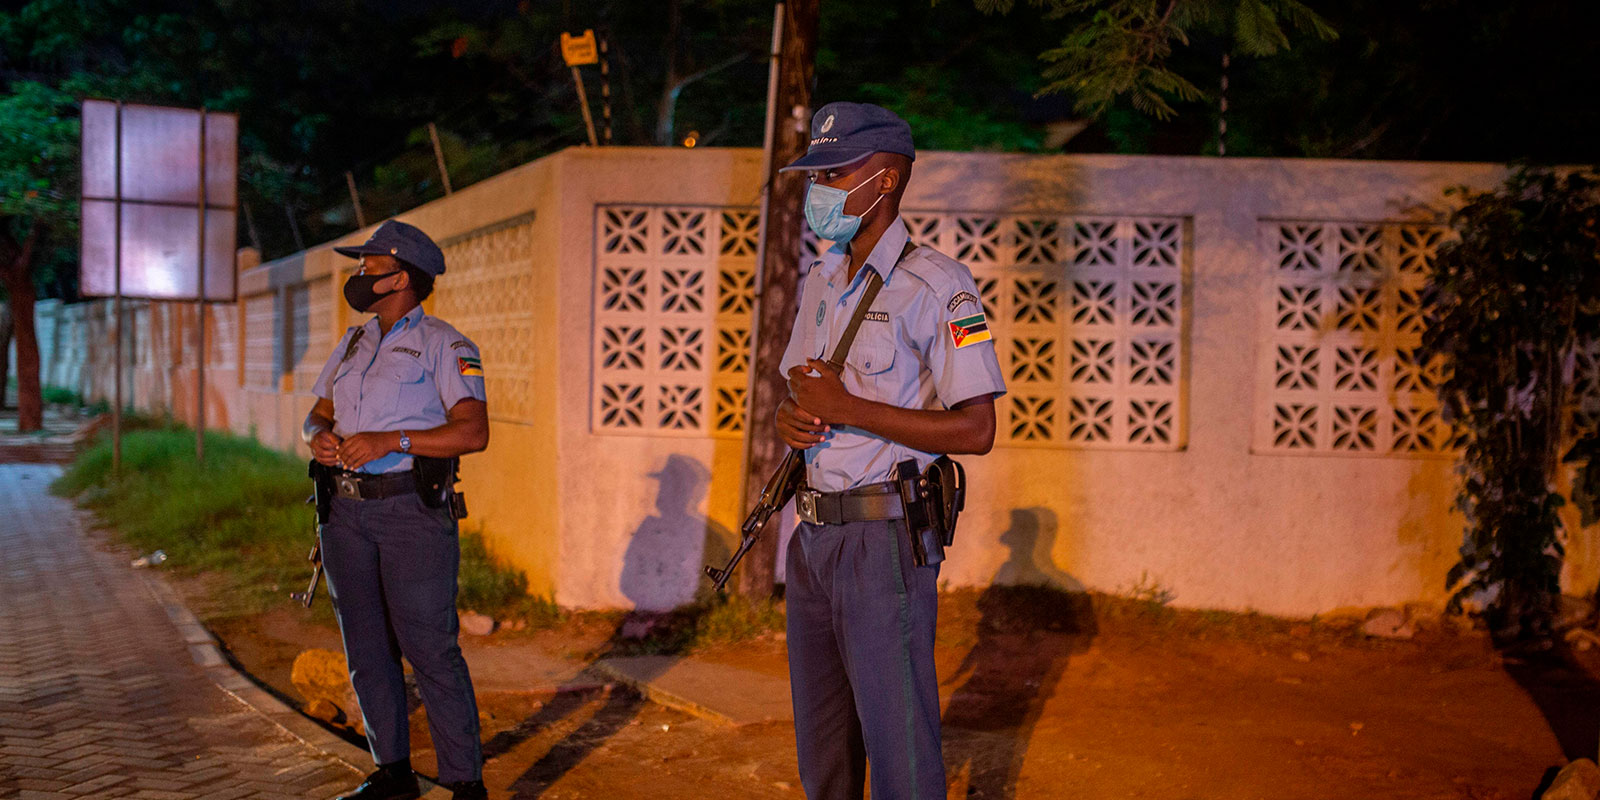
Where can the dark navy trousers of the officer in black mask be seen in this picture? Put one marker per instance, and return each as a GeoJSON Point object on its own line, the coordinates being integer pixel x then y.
{"type": "Point", "coordinates": [393, 577]}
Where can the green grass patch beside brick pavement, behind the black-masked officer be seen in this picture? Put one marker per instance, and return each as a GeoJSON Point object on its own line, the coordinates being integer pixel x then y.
{"type": "Point", "coordinates": [244, 518]}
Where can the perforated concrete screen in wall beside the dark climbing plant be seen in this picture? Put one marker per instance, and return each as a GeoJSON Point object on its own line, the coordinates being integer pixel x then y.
{"type": "Point", "coordinates": [1340, 356]}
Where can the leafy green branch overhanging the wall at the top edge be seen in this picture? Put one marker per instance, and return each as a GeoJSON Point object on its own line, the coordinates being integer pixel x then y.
{"type": "Point", "coordinates": [1124, 47]}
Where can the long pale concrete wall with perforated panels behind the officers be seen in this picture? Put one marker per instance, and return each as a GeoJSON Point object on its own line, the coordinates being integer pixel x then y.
{"type": "Point", "coordinates": [625, 518]}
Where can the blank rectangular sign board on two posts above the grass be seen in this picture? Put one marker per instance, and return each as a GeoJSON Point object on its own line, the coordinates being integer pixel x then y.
{"type": "Point", "coordinates": [153, 169]}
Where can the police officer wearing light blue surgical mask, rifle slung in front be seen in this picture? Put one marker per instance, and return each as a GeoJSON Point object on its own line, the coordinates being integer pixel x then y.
{"type": "Point", "coordinates": [919, 382]}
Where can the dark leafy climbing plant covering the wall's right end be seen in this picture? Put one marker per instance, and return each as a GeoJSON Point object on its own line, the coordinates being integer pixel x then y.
{"type": "Point", "coordinates": [1511, 300]}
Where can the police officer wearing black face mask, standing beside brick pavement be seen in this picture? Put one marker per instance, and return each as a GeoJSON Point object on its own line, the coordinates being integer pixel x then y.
{"type": "Point", "coordinates": [399, 386]}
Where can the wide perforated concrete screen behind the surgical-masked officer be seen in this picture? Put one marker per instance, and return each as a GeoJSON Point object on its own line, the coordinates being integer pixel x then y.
{"type": "Point", "coordinates": [1087, 314]}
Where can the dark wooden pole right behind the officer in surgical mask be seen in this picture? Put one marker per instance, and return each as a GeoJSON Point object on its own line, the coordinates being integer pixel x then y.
{"type": "Point", "coordinates": [780, 278]}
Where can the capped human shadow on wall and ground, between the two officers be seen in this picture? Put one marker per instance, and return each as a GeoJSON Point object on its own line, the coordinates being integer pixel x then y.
{"type": "Point", "coordinates": [662, 569]}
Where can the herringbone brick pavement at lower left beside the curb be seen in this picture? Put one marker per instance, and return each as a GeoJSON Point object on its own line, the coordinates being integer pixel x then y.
{"type": "Point", "coordinates": [100, 697]}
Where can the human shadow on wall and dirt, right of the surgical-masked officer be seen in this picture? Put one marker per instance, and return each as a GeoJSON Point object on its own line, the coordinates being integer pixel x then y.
{"type": "Point", "coordinates": [1033, 618]}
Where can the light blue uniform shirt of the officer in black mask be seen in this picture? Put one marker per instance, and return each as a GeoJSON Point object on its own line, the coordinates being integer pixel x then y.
{"type": "Point", "coordinates": [404, 382]}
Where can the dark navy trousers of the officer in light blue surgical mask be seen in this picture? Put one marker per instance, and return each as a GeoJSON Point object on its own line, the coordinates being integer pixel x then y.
{"type": "Point", "coordinates": [862, 622]}
